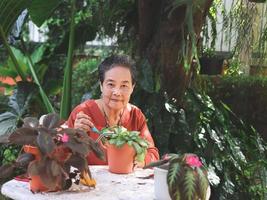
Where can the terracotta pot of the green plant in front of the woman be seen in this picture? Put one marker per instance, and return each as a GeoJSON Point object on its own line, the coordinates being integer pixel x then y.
{"type": "Point", "coordinates": [120, 159]}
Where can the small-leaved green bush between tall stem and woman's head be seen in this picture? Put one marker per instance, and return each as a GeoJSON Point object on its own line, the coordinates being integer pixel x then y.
{"type": "Point", "coordinates": [85, 80]}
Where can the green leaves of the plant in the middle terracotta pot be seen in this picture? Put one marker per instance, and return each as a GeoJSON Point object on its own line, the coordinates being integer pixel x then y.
{"type": "Point", "coordinates": [119, 136]}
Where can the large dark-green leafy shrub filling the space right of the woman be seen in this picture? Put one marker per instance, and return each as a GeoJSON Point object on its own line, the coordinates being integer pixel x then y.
{"type": "Point", "coordinates": [230, 148]}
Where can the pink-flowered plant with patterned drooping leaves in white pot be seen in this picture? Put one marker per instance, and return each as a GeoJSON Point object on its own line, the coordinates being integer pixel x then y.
{"type": "Point", "coordinates": [180, 177]}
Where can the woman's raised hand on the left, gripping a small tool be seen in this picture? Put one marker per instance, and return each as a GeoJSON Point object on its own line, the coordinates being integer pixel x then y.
{"type": "Point", "coordinates": [83, 122]}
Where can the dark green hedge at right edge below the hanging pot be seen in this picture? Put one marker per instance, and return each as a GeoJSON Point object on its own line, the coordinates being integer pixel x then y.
{"type": "Point", "coordinates": [245, 95]}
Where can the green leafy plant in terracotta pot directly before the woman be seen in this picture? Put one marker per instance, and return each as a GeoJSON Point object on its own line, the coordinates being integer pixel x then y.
{"type": "Point", "coordinates": [123, 147]}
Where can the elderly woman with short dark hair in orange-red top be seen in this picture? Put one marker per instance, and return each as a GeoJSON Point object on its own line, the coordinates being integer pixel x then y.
{"type": "Point", "coordinates": [117, 76]}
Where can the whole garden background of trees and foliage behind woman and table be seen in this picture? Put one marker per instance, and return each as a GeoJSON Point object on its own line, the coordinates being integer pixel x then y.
{"type": "Point", "coordinates": [192, 104]}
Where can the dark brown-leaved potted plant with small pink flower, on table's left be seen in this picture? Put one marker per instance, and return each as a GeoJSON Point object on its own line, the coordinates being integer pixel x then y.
{"type": "Point", "coordinates": [51, 151]}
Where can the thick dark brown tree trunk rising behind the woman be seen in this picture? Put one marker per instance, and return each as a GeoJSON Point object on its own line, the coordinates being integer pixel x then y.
{"type": "Point", "coordinates": [160, 40]}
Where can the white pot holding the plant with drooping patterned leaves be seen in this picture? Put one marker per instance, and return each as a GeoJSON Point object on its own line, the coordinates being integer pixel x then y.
{"type": "Point", "coordinates": [160, 184]}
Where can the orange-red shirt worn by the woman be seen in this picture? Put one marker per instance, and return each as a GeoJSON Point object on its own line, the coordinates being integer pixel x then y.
{"type": "Point", "coordinates": [132, 119]}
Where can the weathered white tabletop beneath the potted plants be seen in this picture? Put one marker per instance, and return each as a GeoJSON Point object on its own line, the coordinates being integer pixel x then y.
{"type": "Point", "coordinates": [109, 187]}
